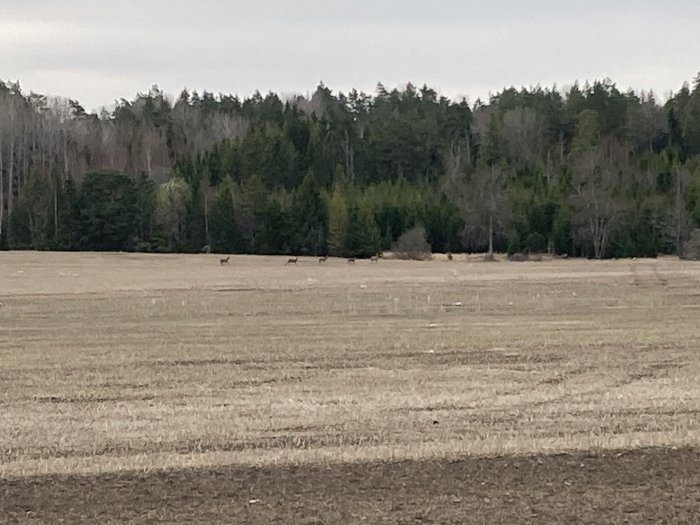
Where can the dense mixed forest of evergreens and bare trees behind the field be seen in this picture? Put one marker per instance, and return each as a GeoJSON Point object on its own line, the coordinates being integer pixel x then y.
{"type": "Point", "coordinates": [592, 171]}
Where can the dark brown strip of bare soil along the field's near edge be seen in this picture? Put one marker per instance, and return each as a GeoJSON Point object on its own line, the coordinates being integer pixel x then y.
{"type": "Point", "coordinates": [650, 486]}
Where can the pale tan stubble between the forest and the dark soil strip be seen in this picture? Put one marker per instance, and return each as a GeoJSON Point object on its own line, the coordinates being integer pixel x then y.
{"type": "Point", "coordinates": [113, 362]}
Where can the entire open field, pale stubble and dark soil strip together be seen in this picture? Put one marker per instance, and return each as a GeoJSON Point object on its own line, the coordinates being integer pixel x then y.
{"type": "Point", "coordinates": [358, 393]}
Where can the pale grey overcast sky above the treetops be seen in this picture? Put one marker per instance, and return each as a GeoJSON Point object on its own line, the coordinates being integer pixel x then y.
{"type": "Point", "coordinates": [101, 50]}
